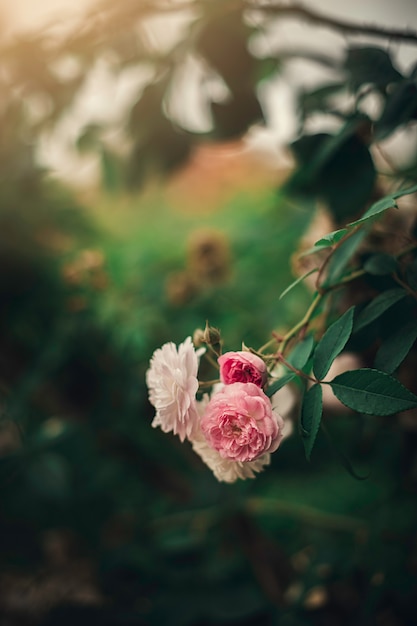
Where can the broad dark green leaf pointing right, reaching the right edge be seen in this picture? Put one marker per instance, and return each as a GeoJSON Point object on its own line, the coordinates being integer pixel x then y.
{"type": "Point", "coordinates": [372, 392]}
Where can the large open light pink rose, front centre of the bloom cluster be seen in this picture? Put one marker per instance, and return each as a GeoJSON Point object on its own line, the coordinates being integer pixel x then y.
{"type": "Point", "coordinates": [239, 423]}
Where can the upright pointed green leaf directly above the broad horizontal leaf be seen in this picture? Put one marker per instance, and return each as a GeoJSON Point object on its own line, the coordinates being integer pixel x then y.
{"type": "Point", "coordinates": [332, 343]}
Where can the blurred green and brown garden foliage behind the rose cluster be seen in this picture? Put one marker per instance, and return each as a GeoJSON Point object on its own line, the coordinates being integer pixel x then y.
{"type": "Point", "coordinates": [102, 519]}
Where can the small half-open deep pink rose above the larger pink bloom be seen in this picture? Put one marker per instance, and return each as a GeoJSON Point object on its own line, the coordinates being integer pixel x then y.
{"type": "Point", "coordinates": [242, 367]}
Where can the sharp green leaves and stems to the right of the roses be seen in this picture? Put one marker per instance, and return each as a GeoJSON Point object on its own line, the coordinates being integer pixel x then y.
{"type": "Point", "coordinates": [367, 390]}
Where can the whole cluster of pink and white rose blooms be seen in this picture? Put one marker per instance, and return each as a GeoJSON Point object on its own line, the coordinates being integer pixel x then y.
{"type": "Point", "coordinates": [235, 430]}
